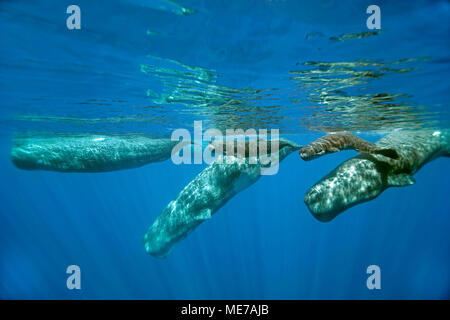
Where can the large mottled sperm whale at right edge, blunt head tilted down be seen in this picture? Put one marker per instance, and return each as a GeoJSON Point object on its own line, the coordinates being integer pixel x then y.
{"type": "Point", "coordinates": [365, 176]}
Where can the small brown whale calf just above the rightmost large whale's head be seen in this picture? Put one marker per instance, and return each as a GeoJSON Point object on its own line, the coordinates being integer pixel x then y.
{"type": "Point", "coordinates": [336, 142]}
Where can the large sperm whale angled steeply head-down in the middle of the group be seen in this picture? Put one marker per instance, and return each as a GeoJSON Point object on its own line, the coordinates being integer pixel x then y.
{"type": "Point", "coordinates": [202, 197]}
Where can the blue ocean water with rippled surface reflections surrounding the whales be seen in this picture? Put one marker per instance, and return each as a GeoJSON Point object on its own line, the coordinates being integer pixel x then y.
{"type": "Point", "coordinates": [151, 67]}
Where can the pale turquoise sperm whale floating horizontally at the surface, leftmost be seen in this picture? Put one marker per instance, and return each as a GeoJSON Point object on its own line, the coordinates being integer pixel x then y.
{"type": "Point", "coordinates": [89, 153]}
